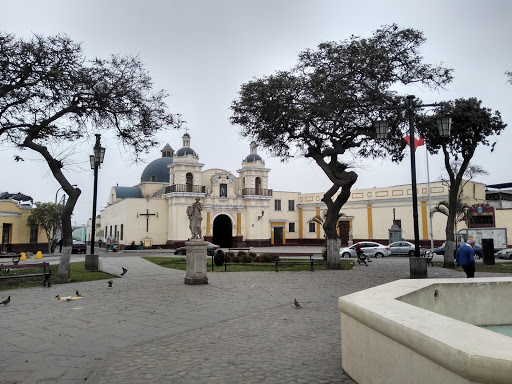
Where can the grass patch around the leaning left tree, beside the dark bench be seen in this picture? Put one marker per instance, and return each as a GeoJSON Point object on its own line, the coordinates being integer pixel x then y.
{"type": "Point", "coordinates": [77, 275]}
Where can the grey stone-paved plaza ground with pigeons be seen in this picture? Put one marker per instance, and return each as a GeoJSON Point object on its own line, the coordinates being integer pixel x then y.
{"type": "Point", "coordinates": [151, 327]}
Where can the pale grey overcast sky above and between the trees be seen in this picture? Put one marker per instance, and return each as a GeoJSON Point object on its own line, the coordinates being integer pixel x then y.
{"type": "Point", "coordinates": [200, 52]}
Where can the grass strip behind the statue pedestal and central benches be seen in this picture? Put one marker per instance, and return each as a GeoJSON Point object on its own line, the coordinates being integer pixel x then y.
{"type": "Point", "coordinates": [181, 263]}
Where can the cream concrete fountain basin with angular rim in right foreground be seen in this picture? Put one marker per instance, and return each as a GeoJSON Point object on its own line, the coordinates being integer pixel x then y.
{"type": "Point", "coordinates": [426, 331]}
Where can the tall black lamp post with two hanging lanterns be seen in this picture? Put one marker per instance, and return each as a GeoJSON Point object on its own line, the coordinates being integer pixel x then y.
{"type": "Point", "coordinates": [443, 125]}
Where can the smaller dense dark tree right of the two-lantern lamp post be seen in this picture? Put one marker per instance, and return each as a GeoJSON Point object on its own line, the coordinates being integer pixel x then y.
{"type": "Point", "coordinates": [472, 125]}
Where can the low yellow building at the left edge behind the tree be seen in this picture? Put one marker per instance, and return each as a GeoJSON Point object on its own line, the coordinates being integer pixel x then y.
{"type": "Point", "coordinates": [16, 236]}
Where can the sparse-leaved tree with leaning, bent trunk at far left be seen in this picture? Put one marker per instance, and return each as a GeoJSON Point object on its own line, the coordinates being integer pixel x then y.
{"type": "Point", "coordinates": [51, 95]}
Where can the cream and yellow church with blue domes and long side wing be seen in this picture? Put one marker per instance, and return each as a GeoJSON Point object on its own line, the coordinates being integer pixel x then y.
{"type": "Point", "coordinates": [242, 210]}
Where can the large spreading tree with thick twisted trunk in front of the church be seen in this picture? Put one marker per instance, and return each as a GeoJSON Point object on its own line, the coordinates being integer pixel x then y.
{"type": "Point", "coordinates": [325, 106]}
